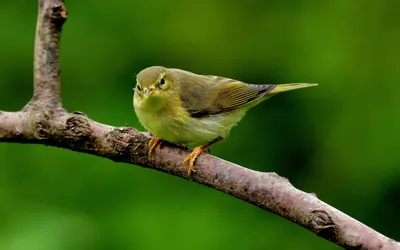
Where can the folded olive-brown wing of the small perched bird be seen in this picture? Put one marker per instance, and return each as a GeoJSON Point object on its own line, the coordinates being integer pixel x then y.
{"type": "Point", "coordinates": [216, 95]}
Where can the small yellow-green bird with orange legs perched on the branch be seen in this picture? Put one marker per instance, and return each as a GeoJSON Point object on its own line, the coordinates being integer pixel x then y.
{"type": "Point", "coordinates": [185, 108]}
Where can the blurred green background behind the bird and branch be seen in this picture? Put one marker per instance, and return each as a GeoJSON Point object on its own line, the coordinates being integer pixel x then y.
{"type": "Point", "coordinates": [339, 140]}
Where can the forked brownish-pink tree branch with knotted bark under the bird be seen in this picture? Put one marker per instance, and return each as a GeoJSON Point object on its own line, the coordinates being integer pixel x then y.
{"type": "Point", "coordinates": [44, 121]}
